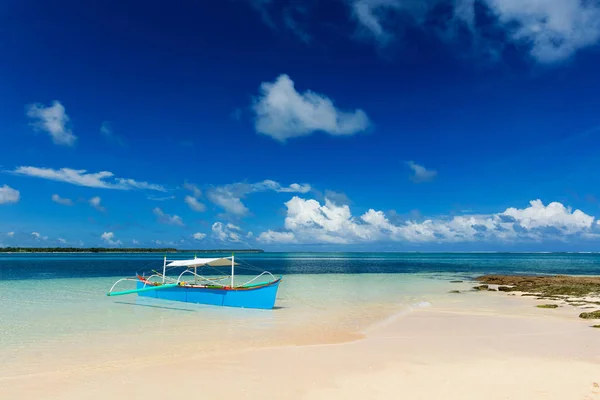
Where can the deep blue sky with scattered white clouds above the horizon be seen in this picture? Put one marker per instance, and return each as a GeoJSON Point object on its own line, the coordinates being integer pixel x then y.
{"type": "Point", "coordinates": [348, 125]}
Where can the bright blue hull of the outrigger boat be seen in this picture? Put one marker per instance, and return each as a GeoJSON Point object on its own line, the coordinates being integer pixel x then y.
{"type": "Point", "coordinates": [261, 297]}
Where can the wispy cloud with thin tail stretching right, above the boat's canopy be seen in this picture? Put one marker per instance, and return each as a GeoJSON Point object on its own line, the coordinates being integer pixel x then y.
{"type": "Point", "coordinates": [229, 197]}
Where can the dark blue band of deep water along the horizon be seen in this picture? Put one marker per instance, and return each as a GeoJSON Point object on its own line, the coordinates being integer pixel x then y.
{"type": "Point", "coordinates": [54, 266]}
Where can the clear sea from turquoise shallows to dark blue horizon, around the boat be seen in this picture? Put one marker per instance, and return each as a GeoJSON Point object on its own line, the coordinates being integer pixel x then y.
{"type": "Point", "coordinates": [54, 312]}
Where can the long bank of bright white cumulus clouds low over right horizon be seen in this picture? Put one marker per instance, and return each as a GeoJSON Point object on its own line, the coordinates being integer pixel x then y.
{"type": "Point", "coordinates": [308, 221]}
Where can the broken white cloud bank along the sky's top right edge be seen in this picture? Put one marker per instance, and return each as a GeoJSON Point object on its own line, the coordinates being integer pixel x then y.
{"type": "Point", "coordinates": [552, 31]}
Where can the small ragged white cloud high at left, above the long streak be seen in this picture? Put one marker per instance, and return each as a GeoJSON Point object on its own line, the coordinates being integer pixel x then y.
{"type": "Point", "coordinates": [53, 120]}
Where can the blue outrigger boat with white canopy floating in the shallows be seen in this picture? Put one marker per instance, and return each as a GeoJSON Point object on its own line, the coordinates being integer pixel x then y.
{"type": "Point", "coordinates": [218, 291]}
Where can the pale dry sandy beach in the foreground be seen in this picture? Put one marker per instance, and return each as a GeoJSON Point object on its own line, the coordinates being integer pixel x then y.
{"type": "Point", "coordinates": [463, 346]}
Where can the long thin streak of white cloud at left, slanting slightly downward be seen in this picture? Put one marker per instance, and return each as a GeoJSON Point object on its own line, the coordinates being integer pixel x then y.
{"type": "Point", "coordinates": [102, 179]}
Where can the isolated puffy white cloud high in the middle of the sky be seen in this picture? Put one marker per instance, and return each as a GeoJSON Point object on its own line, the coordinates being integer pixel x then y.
{"type": "Point", "coordinates": [283, 113]}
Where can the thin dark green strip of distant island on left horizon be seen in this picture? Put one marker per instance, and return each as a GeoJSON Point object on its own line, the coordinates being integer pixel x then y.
{"type": "Point", "coordinates": [118, 250]}
